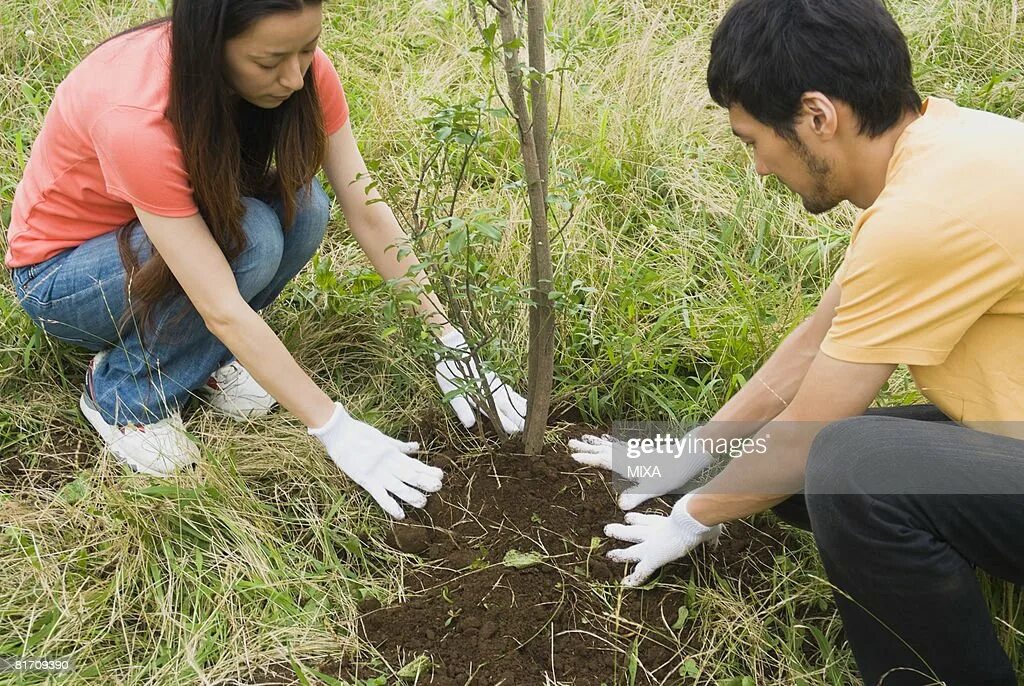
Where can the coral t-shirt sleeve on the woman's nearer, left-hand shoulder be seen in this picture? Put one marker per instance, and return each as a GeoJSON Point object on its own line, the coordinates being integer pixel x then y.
{"type": "Point", "coordinates": [142, 161]}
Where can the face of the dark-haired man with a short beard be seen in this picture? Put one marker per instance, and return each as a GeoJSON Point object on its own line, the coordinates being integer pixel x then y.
{"type": "Point", "coordinates": [792, 162]}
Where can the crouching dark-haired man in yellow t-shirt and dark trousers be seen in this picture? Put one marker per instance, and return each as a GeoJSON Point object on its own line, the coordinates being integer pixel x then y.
{"type": "Point", "coordinates": [903, 509]}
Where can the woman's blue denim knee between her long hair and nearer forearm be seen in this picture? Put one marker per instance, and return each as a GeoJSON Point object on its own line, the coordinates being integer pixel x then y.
{"type": "Point", "coordinates": [255, 268]}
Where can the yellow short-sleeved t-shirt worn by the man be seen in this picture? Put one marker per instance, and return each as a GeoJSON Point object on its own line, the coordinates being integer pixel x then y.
{"type": "Point", "coordinates": [934, 276]}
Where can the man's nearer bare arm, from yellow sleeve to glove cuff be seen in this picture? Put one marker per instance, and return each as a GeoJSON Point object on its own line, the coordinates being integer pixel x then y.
{"type": "Point", "coordinates": [756, 481]}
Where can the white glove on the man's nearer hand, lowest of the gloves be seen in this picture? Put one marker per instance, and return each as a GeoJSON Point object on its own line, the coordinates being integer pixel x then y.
{"type": "Point", "coordinates": [659, 540]}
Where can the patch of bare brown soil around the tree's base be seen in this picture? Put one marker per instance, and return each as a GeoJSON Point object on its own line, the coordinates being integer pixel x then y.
{"type": "Point", "coordinates": [484, 622]}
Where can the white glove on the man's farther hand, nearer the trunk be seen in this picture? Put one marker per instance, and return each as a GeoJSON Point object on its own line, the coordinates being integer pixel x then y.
{"type": "Point", "coordinates": [608, 453]}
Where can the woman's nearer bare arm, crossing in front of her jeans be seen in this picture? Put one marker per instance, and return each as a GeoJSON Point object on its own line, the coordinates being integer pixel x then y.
{"type": "Point", "coordinates": [197, 262]}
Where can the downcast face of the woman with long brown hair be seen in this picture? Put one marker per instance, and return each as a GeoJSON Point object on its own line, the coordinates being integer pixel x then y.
{"type": "Point", "coordinates": [268, 63]}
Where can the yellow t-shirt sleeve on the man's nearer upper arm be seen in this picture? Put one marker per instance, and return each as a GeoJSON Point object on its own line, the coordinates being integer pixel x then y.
{"type": "Point", "coordinates": [913, 284]}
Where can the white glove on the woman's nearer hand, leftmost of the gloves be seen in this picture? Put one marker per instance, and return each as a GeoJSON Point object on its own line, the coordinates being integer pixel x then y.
{"type": "Point", "coordinates": [378, 463]}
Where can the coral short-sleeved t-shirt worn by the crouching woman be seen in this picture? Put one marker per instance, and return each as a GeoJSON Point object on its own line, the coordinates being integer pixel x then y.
{"type": "Point", "coordinates": [106, 145]}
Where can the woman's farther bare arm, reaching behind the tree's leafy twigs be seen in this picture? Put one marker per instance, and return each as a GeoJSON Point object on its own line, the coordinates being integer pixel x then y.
{"type": "Point", "coordinates": [373, 224]}
